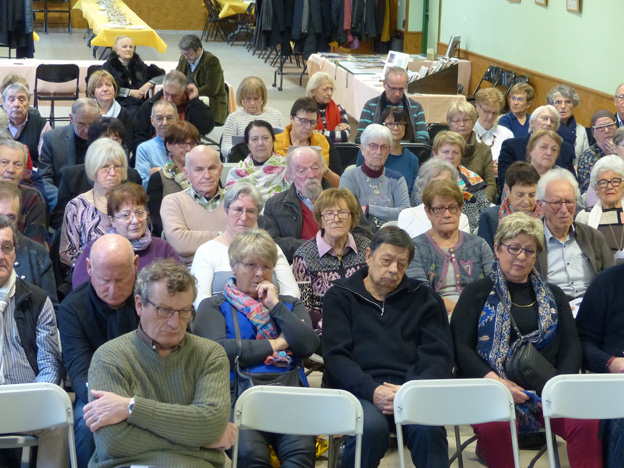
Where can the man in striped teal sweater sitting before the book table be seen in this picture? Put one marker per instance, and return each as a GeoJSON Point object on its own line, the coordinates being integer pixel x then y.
{"type": "Point", "coordinates": [395, 83]}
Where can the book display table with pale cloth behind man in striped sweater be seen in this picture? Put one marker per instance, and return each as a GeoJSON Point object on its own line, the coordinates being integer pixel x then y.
{"type": "Point", "coordinates": [353, 91]}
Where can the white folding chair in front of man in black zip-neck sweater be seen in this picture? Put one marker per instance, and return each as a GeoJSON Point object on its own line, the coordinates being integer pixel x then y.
{"type": "Point", "coordinates": [452, 402]}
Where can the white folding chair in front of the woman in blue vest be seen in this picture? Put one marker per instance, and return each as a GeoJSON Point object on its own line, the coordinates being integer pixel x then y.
{"type": "Point", "coordinates": [299, 411]}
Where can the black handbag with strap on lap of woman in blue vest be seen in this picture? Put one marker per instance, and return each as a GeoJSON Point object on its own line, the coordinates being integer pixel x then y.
{"type": "Point", "coordinates": [244, 380]}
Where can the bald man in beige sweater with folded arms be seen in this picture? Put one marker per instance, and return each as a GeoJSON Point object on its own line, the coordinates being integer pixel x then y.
{"type": "Point", "coordinates": [195, 215]}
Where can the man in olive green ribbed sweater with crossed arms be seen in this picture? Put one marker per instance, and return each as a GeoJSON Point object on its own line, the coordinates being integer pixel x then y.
{"type": "Point", "coordinates": [160, 396]}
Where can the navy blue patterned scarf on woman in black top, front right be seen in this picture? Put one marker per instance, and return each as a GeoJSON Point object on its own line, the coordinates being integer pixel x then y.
{"type": "Point", "coordinates": [494, 329]}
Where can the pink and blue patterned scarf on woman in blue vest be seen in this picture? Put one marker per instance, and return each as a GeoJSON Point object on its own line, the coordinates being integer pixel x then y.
{"type": "Point", "coordinates": [259, 317]}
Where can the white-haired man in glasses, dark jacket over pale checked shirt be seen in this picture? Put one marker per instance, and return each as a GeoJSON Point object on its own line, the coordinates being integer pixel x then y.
{"type": "Point", "coordinates": [575, 253]}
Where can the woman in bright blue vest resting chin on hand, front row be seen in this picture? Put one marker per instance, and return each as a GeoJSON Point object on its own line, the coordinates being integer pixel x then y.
{"type": "Point", "coordinates": [275, 333]}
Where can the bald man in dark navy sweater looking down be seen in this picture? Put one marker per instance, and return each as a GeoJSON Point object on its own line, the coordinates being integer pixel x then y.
{"type": "Point", "coordinates": [98, 311]}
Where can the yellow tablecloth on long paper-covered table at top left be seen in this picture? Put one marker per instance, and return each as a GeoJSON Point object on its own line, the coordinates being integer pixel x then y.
{"type": "Point", "coordinates": [105, 34]}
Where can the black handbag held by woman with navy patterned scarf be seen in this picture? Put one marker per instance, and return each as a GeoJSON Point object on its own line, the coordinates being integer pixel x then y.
{"type": "Point", "coordinates": [526, 366]}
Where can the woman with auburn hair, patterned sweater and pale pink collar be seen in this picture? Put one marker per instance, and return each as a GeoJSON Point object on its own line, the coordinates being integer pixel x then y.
{"type": "Point", "coordinates": [335, 252]}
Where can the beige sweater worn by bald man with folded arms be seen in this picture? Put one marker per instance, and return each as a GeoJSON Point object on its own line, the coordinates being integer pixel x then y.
{"type": "Point", "coordinates": [186, 225]}
